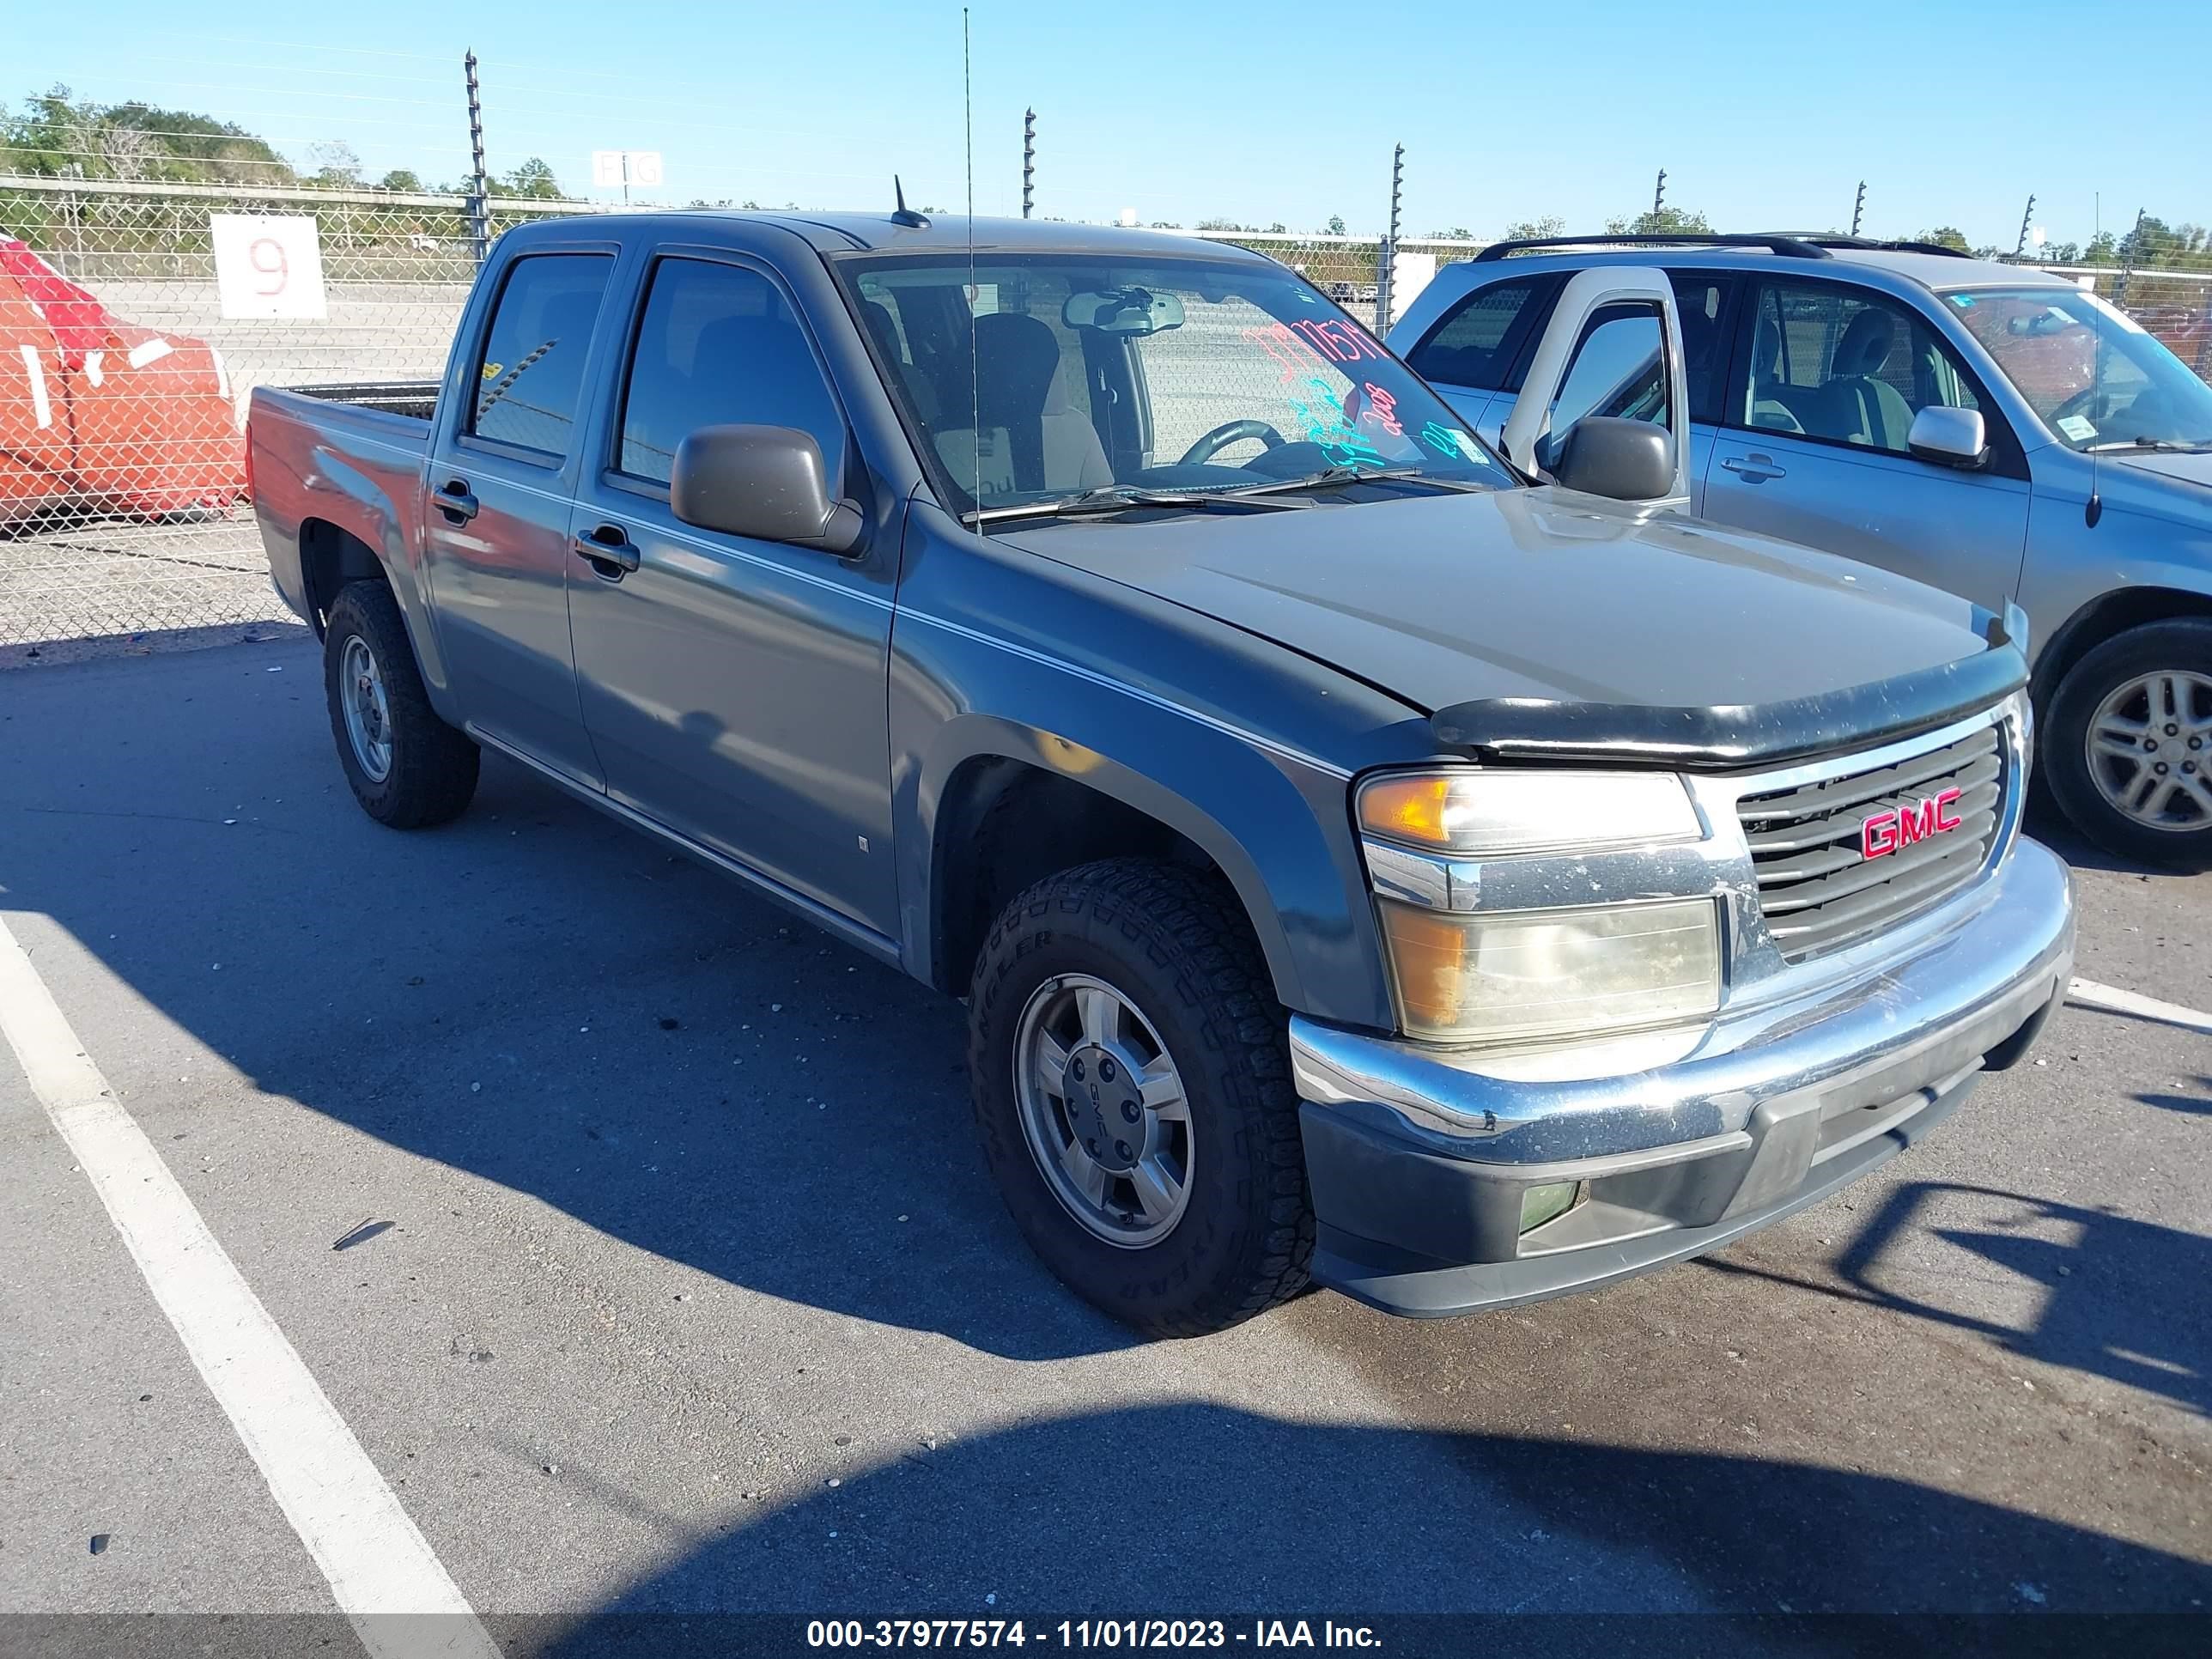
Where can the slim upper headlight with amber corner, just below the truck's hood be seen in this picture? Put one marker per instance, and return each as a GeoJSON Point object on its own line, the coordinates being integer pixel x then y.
{"type": "Point", "coordinates": [1494, 815]}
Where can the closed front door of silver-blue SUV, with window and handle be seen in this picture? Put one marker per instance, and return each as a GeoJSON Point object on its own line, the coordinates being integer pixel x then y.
{"type": "Point", "coordinates": [1815, 441]}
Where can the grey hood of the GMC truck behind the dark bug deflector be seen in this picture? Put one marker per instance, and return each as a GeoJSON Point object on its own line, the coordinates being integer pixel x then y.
{"type": "Point", "coordinates": [1534, 594]}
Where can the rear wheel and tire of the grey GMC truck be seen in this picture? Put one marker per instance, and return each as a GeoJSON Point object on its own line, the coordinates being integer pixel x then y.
{"type": "Point", "coordinates": [428, 769]}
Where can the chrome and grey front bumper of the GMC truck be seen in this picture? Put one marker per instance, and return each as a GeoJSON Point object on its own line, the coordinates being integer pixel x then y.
{"type": "Point", "coordinates": [1419, 1160]}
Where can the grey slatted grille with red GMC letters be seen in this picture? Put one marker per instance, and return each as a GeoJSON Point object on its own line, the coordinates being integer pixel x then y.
{"type": "Point", "coordinates": [1819, 890]}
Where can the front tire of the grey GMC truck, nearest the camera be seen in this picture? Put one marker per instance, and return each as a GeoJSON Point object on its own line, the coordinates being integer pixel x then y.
{"type": "Point", "coordinates": [1182, 959]}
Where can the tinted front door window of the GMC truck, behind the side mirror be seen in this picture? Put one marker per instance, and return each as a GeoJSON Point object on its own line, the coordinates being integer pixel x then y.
{"type": "Point", "coordinates": [720, 346]}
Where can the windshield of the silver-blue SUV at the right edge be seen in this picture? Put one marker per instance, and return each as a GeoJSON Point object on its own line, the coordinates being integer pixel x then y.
{"type": "Point", "coordinates": [2087, 368]}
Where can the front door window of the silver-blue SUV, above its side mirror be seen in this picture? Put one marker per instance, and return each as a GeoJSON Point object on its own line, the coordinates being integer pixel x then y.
{"type": "Point", "coordinates": [1844, 366]}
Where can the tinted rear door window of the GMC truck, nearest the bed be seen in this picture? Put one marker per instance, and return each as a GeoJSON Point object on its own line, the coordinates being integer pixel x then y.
{"type": "Point", "coordinates": [532, 371]}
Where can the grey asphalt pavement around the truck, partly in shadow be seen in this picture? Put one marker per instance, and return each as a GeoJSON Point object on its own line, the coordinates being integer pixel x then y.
{"type": "Point", "coordinates": [640, 1238]}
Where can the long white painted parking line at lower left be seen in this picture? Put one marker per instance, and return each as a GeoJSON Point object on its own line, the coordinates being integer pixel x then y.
{"type": "Point", "coordinates": [379, 1565]}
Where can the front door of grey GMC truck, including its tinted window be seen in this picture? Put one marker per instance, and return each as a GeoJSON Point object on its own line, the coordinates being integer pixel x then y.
{"type": "Point", "coordinates": [735, 689]}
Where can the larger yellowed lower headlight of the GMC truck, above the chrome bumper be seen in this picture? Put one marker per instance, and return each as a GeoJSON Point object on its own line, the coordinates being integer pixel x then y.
{"type": "Point", "coordinates": [1525, 977]}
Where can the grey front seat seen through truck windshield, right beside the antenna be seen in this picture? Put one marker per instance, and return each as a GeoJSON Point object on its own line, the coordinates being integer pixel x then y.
{"type": "Point", "coordinates": [1021, 393]}
